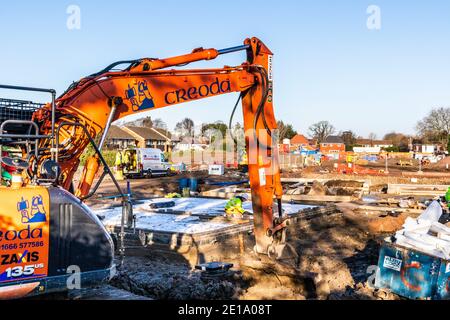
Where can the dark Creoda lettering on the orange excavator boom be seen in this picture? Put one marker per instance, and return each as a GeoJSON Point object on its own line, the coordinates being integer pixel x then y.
{"type": "Point", "coordinates": [181, 95]}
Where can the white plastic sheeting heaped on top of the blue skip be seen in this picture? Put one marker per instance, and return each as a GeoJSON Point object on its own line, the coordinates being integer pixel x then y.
{"type": "Point", "coordinates": [426, 234]}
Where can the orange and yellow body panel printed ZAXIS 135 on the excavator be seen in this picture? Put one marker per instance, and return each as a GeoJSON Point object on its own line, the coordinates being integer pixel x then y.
{"type": "Point", "coordinates": [24, 234]}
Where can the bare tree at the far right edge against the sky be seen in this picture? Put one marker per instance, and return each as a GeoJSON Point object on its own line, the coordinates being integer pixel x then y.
{"type": "Point", "coordinates": [436, 126]}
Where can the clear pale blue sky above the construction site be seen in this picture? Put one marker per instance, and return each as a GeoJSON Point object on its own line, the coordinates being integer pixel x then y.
{"type": "Point", "coordinates": [328, 65]}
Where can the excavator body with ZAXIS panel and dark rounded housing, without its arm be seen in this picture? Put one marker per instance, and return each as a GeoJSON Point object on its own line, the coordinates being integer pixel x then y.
{"type": "Point", "coordinates": [49, 240]}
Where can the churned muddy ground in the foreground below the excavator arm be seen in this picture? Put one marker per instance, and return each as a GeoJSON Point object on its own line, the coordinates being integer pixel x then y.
{"type": "Point", "coordinates": [335, 257]}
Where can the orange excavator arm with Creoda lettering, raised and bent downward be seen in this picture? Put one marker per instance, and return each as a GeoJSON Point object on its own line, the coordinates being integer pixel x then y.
{"type": "Point", "coordinates": [147, 84]}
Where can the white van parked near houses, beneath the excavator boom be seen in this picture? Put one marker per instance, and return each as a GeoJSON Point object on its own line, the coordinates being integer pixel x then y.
{"type": "Point", "coordinates": [147, 162]}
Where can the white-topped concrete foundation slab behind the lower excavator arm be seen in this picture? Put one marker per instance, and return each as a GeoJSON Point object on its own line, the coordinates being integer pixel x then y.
{"type": "Point", "coordinates": [191, 223]}
